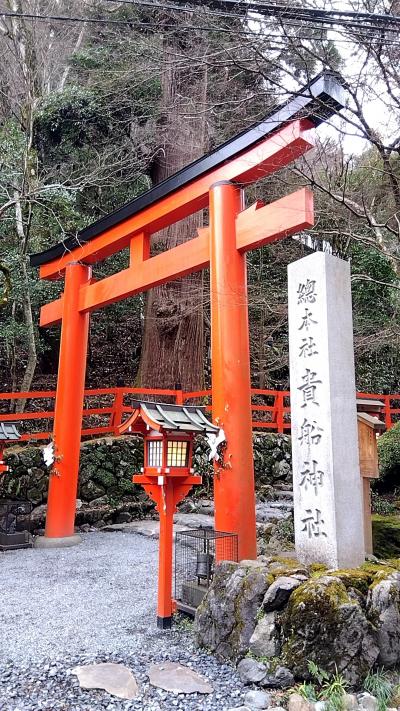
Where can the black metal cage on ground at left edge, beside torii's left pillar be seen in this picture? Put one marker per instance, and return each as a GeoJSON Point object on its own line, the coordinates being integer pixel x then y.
{"type": "Point", "coordinates": [15, 520]}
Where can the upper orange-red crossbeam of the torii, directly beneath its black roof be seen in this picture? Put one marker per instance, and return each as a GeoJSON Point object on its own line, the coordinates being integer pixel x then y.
{"type": "Point", "coordinates": [272, 153]}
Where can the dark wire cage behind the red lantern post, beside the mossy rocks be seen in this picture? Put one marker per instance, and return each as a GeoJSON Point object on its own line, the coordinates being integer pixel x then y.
{"type": "Point", "coordinates": [196, 554]}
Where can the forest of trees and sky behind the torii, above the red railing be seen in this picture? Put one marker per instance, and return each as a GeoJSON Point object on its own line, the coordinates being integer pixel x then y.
{"type": "Point", "coordinates": [101, 99]}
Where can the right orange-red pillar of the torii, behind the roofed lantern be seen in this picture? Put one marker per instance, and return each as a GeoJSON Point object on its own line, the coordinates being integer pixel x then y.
{"type": "Point", "coordinates": [231, 385]}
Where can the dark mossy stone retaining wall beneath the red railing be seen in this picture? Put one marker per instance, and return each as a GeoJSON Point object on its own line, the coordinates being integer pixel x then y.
{"type": "Point", "coordinates": [106, 494]}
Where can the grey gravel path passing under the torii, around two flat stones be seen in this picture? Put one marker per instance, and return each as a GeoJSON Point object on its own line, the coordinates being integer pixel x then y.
{"type": "Point", "coordinates": [93, 602]}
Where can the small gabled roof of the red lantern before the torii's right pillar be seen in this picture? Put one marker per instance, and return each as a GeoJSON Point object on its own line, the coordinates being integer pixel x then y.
{"type": "Point", "coordinates": [163, 417]}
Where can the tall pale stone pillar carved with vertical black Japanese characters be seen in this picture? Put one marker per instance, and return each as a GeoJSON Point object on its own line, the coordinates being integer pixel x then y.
{"type": "Point", "coordinates": [328, 511]}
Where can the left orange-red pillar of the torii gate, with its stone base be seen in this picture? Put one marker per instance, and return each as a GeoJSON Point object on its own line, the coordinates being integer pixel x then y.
{"type": "Point", "coordinates": [63, 482]}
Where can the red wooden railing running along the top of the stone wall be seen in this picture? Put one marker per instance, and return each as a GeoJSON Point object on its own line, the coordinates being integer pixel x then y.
{"type": "Point", "coordinates": [271, 409]}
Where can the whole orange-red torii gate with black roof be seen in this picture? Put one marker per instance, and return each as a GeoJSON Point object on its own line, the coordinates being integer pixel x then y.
{"type": "Point", "coordinates": [216, 181]}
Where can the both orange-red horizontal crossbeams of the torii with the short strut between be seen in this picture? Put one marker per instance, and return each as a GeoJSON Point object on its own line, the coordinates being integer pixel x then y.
{"type": "Point", "coordinates": [254, 227]}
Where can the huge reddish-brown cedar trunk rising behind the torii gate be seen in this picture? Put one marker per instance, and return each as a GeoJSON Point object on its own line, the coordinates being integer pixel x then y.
{"type": "Point", "coordinates": [172, 351]}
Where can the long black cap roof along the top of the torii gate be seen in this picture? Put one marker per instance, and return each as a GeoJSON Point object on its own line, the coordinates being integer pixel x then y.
{"type": "Point", "coordinates": [318, 101]}
